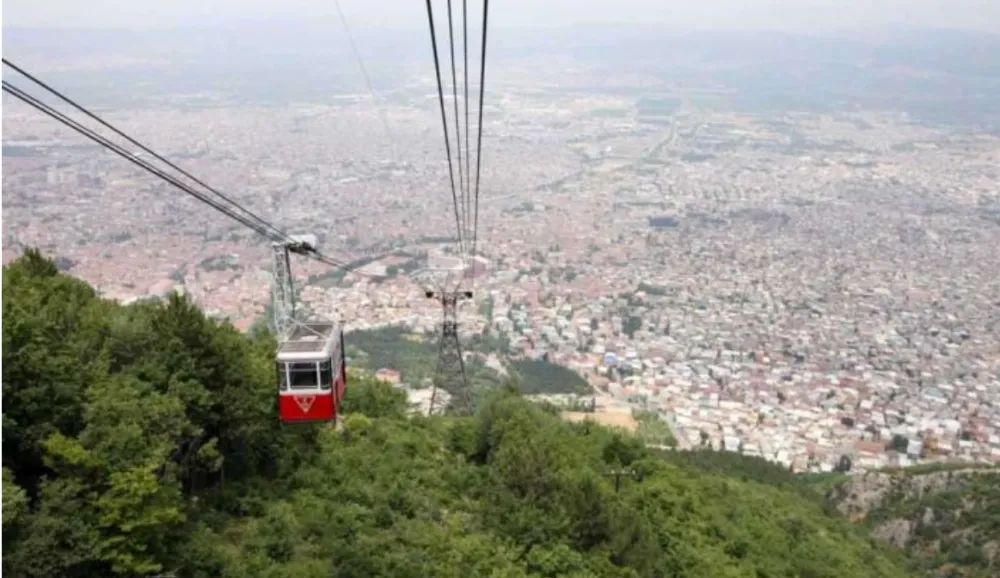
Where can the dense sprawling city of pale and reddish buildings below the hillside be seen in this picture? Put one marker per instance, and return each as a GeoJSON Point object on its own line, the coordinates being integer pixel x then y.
{"type": "Point", "coordinates": [793, 285]}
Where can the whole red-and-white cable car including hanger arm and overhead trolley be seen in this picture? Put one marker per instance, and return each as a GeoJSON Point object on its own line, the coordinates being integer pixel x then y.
{"type": "Point", "coordinates": [310, 361]}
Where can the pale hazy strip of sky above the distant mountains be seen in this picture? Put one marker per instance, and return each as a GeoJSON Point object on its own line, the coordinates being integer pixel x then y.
{"type": "Point", "coordinates": [801, 15]}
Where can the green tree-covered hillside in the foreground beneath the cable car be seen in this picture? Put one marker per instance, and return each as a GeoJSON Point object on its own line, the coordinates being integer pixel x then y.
{"type": "Point", "coordinates": [141, 440]}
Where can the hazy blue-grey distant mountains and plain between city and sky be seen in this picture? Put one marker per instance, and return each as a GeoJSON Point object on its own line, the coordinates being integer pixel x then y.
{"type": "Point", "coordinates": [938, 76]}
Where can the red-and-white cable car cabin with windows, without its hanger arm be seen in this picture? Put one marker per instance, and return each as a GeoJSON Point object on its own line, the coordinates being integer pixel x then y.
{"type": "Point", "coordinates": [312, 376]}
